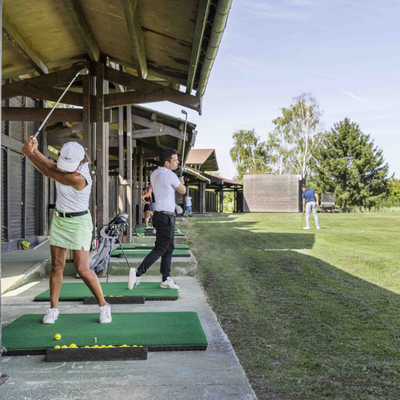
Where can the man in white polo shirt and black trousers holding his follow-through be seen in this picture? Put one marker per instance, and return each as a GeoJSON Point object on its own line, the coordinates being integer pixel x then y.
{"type": "Point", "coordinates": [164, 183]}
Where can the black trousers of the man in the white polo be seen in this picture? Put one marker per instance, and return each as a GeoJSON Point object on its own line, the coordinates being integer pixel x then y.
{"type": "Point", "coordinates": [165, 226]}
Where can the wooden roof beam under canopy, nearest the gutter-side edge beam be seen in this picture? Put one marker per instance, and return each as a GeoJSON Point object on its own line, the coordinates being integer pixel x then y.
{"type": "Point", "coordinates": [134, 24]}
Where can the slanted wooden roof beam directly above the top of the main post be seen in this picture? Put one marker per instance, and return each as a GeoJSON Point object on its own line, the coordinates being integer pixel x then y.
{"type": "Point", "coordinates": [82, 26]}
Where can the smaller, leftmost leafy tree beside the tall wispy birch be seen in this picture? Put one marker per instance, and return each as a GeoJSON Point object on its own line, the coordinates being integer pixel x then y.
{"type": "Point", "coordinates": [249, 154]}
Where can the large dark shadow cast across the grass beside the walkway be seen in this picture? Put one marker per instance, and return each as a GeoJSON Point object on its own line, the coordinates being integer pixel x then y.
{"type": "Point", "coordinates": [302, 328]}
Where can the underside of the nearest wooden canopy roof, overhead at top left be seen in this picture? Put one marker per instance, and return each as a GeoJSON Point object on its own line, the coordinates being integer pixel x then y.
{"type": "Point", "coordinates": [157, 40]}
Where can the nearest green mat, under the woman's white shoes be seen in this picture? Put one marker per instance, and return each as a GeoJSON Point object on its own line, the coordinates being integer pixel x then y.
{"type": "Point", "coordinates": [159, 331]}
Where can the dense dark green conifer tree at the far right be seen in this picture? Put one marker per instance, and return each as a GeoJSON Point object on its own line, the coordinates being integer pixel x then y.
{"type": "Point", "coordinates": [348, 164]}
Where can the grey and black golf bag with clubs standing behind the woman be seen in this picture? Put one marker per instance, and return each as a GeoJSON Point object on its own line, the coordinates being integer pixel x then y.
{"type": "Point", "coordinates": [108, 240]}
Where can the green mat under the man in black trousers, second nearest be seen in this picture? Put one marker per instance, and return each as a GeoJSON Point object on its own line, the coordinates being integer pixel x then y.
{"type": "Point", "coordinates": [78, 290]}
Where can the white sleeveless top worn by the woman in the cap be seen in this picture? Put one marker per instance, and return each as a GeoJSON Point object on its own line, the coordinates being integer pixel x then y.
{"type": "Point", "coordinates": [72, 200]}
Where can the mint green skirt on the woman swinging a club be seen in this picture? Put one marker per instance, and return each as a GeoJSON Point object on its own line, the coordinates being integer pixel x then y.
{"type": "Point", "coordinates": [71, 233]}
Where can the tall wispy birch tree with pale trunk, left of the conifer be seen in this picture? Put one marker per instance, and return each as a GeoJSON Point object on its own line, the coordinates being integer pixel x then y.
{"type": "Point", "coordinates": [296, 136]}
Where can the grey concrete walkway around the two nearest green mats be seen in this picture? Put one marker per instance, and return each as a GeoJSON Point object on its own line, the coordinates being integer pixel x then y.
{"type": "Point", "coordinates": [215, 374]}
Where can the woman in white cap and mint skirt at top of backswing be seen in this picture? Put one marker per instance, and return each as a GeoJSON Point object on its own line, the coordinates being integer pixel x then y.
{"type": "Point", "coordinates": [71, 227]}
